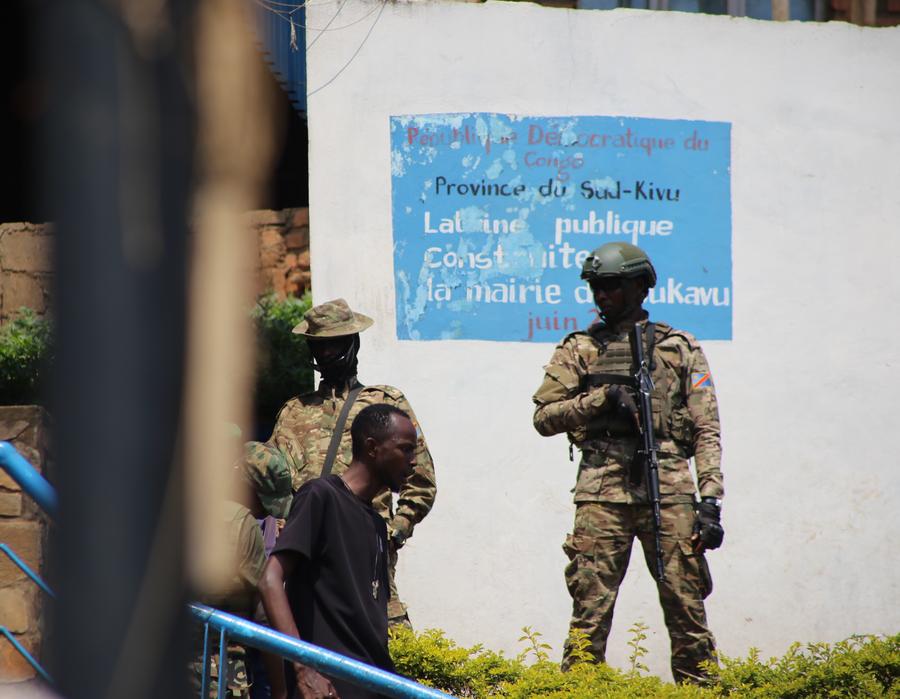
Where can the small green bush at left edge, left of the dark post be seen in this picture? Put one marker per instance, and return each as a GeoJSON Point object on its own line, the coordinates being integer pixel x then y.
{"type": "Point", "coordinates": [26, 352]}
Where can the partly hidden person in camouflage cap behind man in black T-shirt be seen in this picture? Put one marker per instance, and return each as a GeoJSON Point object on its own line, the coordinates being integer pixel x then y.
{"type": "Point", "coordinates": [263, 488]}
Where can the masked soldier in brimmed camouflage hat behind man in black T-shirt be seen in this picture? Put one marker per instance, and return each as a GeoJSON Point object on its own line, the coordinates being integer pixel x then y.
{"type": "Point", "coordinates": [305, 424]}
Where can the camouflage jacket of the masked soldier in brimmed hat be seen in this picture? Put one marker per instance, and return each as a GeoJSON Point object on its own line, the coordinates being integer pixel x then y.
{"type": "Point", "coordinates": [303, 431]}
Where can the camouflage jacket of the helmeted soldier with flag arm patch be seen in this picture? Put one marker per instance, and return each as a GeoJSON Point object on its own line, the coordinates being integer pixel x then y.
{"type": "Point", "coordinates": [685, 415]}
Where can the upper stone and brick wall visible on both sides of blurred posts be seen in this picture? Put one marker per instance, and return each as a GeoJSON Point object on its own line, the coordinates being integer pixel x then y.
{"type": "Point", "coordinates": [26, 259]}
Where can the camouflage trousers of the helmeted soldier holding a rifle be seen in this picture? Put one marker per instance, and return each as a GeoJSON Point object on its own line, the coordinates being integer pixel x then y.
{"type": "Point", "coordinates": [599, 550]}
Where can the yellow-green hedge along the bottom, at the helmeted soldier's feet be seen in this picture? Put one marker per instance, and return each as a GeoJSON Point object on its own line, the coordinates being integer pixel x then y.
{"type": "Point", "coordinates": [859, 667]}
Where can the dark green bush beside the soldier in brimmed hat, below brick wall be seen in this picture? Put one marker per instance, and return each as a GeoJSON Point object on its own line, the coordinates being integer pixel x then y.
{"type": "Point", "coordinates": [283, 367]}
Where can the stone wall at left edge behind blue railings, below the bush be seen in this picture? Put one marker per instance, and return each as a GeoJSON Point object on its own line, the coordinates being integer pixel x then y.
{"type": "Point", "coordinates": [23, 527]}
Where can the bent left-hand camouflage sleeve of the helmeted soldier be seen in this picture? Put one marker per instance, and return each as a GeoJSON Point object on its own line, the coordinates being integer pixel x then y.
{"type": "Point", "coordinates": [561, 405]}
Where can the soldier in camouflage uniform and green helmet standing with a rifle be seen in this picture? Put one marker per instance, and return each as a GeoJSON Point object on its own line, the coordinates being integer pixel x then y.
{"type": "Point", "coordinates": [601, 419]}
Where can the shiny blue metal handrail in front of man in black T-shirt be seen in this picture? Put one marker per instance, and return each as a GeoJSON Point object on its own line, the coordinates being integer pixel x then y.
{"type": "Point", "coordinates": [329, 662]}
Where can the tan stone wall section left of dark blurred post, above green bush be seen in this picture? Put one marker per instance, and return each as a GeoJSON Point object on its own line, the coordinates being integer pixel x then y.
{"type": "Point", "coordinates": [25, 267]}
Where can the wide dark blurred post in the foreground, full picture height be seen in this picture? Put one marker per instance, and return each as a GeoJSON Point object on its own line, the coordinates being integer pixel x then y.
{"type": "Point", "coordinates": [117, 165]}
